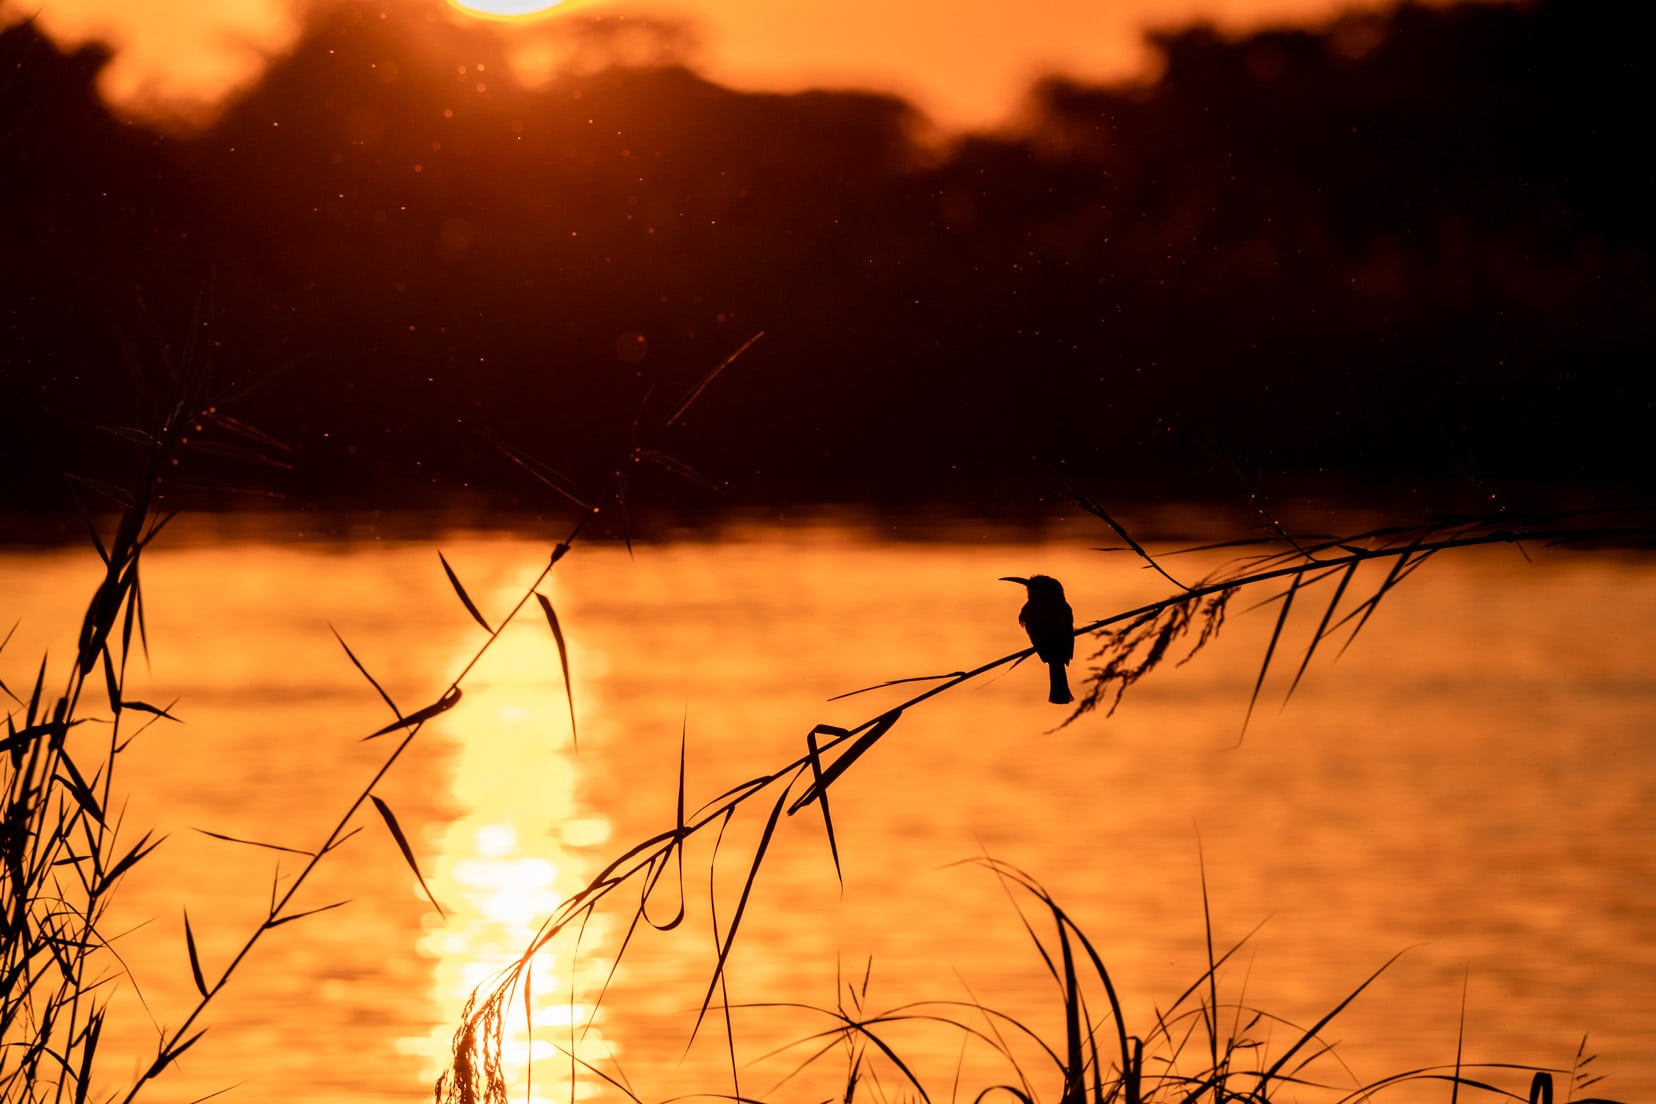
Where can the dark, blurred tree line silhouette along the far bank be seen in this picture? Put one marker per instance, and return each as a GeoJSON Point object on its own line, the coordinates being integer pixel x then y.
{"type": "Point", "coordinates": [1408, 246]}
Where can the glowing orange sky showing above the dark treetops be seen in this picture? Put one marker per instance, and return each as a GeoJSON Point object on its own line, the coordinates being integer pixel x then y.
{"type": "Point", "coordinates": [965, 62]}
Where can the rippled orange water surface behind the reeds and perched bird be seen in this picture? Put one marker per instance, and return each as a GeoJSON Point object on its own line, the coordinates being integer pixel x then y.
{"type": "Point", "coordinates": [1471, 784]}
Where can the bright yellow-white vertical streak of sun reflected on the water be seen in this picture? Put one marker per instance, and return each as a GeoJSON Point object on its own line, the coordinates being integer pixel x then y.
{"type": "Point", "coordinates": [509, 860]}
